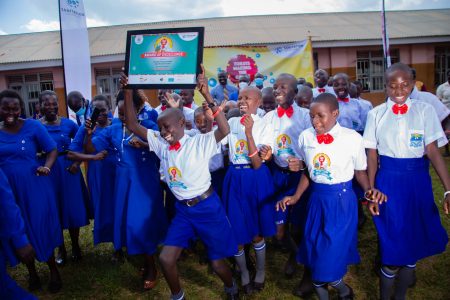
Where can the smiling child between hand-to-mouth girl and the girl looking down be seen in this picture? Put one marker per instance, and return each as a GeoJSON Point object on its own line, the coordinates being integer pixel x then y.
{"type": "Point", "coordinates": [288, 122]}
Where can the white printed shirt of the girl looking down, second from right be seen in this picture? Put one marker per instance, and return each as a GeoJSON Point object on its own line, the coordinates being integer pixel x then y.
{"type": "Point", "coordinates": [335, 162]}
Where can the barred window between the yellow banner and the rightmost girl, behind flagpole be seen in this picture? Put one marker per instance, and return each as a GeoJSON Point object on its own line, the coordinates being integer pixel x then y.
{"type": "Point", "coordinates": [370, 69]}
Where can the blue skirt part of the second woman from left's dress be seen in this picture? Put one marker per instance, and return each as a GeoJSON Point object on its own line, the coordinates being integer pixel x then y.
{"type": "Point", "coordinates": [71, 195]}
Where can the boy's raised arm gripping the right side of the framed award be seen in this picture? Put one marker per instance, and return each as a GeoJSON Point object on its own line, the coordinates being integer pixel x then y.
{"type": "Point", "coordinates": [223, 128]}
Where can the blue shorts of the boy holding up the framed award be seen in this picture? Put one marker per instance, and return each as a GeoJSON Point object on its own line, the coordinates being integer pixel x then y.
{"type": "Point", "coordinates": [208, 221]}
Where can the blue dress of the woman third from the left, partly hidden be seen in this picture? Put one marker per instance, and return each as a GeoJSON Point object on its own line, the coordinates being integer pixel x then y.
{"type": "Point", "coordinates": [101, 176]}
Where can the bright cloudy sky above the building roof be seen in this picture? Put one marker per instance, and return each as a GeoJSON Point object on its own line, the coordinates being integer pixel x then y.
{"type": "Point", "coordinates": [20, 16]}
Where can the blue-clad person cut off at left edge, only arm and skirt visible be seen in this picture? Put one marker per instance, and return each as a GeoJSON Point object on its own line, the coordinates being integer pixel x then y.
{"type": "Point", "coordinates": [12, 234]}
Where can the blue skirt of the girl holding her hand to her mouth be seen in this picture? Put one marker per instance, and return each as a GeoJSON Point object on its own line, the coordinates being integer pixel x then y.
{"type": "Point", "coordinates": [247, 198]}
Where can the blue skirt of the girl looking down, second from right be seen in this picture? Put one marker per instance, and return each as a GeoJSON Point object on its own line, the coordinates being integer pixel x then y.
{"type": "Point", "coordinates": [330, 238]}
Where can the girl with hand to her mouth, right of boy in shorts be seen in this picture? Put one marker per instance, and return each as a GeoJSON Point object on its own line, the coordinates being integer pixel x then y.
{"type": "Point", "coordinates": [248, 185]}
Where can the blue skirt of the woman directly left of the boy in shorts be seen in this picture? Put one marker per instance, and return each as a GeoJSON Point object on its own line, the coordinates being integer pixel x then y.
{"type": "Point", "coordinates": [140, 222]}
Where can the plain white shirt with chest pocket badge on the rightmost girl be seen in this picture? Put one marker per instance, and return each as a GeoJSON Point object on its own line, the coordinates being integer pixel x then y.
{"type": "Point", "coordinates": [403, 136]}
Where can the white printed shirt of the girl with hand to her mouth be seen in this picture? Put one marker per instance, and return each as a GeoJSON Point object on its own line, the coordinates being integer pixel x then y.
{"type": "Point", "coordinates": [237, 142]}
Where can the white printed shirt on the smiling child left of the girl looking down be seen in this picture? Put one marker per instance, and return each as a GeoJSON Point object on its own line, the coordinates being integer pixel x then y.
{"type": "Point", "coordinates": [286, 133]}
